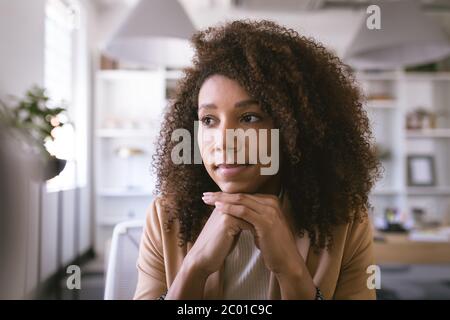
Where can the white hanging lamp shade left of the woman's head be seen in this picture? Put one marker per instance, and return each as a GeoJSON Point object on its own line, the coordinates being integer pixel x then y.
{"type": "Point", "coordinates": [155, 33]}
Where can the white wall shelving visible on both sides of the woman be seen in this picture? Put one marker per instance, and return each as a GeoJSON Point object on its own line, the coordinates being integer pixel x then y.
{"type": "Point", "coordinates": [128, 113]}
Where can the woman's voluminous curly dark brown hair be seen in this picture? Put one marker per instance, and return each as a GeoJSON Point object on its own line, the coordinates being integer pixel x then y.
{"type": "Point", "coordinates": [329, 164]}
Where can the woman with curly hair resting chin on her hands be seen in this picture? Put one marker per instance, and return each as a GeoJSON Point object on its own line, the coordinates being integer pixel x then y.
{"type": "Point", "coordinates": [221, 231]}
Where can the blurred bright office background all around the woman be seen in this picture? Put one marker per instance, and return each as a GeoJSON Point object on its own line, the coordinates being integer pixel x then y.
{"type": "Point", "coordinates": [113, 66]}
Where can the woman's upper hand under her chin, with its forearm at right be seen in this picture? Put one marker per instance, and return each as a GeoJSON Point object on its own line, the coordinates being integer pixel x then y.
{"type": "Point", "coordinates": [272, 236]}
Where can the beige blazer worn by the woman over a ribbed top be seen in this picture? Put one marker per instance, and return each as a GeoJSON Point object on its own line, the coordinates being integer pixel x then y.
{"type": "Point", "coordinates": [339, 273]}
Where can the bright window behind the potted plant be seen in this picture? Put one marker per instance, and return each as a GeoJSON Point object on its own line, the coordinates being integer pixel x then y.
{"type": "Point", "coordinates": [62, 23]}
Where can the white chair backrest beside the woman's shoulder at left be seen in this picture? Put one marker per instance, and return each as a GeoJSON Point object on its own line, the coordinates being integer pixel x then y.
{"type": "Point", "coordinates": [121, 274]}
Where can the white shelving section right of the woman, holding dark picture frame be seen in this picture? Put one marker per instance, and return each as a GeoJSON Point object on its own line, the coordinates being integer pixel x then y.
{"type": "Point", "coordinates": [402, 92]}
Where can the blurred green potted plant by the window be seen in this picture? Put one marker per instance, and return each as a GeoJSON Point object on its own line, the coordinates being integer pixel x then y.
{"type": "Point", "coordinates": [34, 120]}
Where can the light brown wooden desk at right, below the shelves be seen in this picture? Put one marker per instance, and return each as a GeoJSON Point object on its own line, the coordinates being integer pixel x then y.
{"type": "Point", "coordinates": [398, 248]}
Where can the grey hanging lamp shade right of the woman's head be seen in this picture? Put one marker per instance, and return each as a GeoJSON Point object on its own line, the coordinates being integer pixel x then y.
{"type": "Point", "coordinates": [407, 37]}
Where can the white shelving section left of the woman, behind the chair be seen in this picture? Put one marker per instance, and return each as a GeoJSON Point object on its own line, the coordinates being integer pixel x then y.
{"type": "Point", "coordinates": [129, 106]}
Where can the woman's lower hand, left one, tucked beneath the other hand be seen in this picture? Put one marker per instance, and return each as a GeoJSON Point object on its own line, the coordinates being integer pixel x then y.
{"type": "Point", "coordinates": [215, 242]}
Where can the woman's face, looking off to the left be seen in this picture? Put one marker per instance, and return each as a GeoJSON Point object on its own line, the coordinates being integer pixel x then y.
{"type": "Point", "coordinates": [223, 104]}
